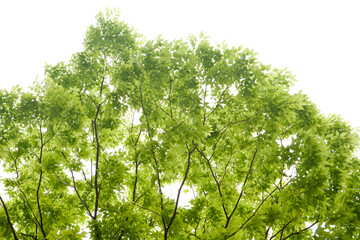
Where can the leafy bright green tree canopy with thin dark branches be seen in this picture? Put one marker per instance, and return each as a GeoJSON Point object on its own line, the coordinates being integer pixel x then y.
{"type": "Point", "coordinates": [94, 145]}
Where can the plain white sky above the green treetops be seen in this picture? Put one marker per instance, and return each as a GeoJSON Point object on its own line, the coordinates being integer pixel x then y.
{"type": "Point", "coordinates": [319, 41]}
